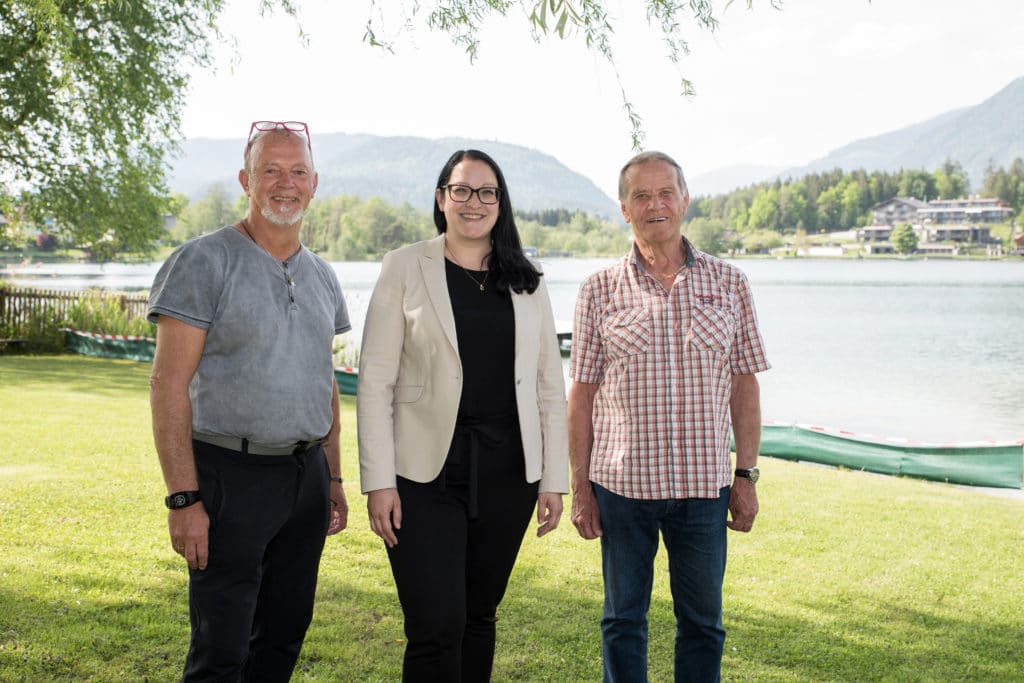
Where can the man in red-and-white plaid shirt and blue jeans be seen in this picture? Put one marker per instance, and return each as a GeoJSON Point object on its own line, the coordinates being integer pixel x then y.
{"type": "Point", "coordinates": [666, 349]}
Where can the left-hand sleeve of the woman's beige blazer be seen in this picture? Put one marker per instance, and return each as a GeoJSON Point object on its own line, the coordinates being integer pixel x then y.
{"type": "Point", "coordinates": [380, 357]}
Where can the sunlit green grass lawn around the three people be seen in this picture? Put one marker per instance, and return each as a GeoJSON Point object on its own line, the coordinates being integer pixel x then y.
{"type": "Point", "coordinates": [847, 577]}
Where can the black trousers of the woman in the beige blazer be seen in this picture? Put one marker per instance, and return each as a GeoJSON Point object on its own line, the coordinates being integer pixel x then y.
{"type": "Point", "coordinates": [458, 543]}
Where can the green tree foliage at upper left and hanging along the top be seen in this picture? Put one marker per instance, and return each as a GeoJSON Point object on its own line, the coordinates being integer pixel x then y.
{"type": "Point", "coordinates": [92, 96]}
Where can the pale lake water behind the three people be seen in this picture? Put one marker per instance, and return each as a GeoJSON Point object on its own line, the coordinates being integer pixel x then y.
{"type": "Point", "coordinates": [926, 351]}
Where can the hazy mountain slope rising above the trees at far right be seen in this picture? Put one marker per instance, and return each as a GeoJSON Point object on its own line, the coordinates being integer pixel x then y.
{"type": "Point", "coordinates": [991, 132]}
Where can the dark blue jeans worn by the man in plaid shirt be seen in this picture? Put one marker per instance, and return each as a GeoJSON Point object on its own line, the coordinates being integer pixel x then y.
{"type": "Point", "coordinates": [695, 534]}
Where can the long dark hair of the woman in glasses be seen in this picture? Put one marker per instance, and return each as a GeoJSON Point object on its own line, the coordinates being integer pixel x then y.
{"type": "Point", "coordinates": [515, 272]}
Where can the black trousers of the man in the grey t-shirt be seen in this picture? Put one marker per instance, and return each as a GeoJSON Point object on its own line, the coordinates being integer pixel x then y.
{"type": "Point", "coordinates": [251, 607]}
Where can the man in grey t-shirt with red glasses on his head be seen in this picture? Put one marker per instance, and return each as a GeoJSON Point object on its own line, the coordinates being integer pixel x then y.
{"type": "Point", "coordinates": [245, 417]}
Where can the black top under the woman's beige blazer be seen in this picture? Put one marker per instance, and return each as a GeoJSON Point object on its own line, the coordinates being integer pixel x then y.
{"type": "Point", "coordinates": [486, 327]}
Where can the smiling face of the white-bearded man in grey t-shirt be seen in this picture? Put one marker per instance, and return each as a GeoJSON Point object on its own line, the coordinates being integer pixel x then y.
{"type": "Point", "coordinates": [281, 180]}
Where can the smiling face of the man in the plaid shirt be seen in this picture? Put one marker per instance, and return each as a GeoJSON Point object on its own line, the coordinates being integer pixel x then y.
{"type": "Point", "coordinates": [654, 204]}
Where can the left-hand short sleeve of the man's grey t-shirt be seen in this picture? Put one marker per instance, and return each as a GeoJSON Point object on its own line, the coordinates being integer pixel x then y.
{"type": "Point", "coordinates": [188, 286]}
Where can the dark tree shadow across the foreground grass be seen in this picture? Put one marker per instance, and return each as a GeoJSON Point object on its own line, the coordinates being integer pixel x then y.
{"type": "Point", "coordinates": [546, 633]}
